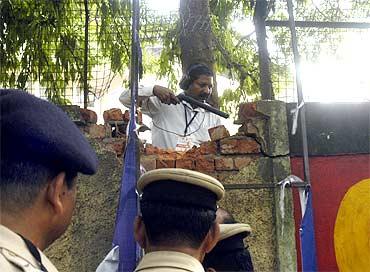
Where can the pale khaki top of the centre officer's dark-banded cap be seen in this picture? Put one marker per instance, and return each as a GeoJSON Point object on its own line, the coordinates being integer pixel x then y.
{"type": "Point", "coordinates": [183, 176]}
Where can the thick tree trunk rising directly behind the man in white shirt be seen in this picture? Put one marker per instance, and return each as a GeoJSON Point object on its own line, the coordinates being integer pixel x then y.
{"type": "Point", "coordinates": [195, 38]}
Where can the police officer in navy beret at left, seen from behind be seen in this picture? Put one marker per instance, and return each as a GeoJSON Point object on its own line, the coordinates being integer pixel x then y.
{"type": "Point", "coordinates": [42, 151]}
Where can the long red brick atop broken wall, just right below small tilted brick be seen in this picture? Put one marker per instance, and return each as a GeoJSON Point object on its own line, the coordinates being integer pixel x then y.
{"type": "Point", "coordinates": [239, 146]}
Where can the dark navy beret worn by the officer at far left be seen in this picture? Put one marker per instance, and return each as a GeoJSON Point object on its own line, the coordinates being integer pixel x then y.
{"type": "Point", "coordinates": [35, 129]}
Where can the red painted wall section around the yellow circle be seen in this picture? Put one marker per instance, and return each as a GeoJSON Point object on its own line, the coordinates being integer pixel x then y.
{"type": "Point", "coordinates": [331, 177]}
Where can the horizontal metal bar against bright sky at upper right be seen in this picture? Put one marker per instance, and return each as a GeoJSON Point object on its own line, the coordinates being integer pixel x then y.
{"type": "Point", "coordinates": [319, 24]}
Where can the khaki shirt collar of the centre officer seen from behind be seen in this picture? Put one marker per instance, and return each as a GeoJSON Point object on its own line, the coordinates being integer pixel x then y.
{"type": "Point", "coordinates": [166, 261]}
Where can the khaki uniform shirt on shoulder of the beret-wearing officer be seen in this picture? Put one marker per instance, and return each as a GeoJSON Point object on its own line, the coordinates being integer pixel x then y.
{"type": "Point", "coordinates": [14, 244]}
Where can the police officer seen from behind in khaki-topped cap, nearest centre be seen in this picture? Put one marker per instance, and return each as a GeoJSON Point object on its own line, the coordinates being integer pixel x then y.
{"type": "Point", "coordinates": [177, 224]}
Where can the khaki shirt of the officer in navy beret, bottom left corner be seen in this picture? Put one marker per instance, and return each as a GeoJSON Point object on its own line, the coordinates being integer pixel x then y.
{"type": "Point", "coordinates": [15, 256]}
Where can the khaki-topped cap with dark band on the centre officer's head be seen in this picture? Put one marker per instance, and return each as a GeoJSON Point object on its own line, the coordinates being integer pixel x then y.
{"type": "Point", "coordinates": [180, 187]}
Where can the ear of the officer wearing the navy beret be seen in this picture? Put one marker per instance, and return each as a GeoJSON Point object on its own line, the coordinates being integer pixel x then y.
{"type": "Point", "coordinates": [54, 192]}
